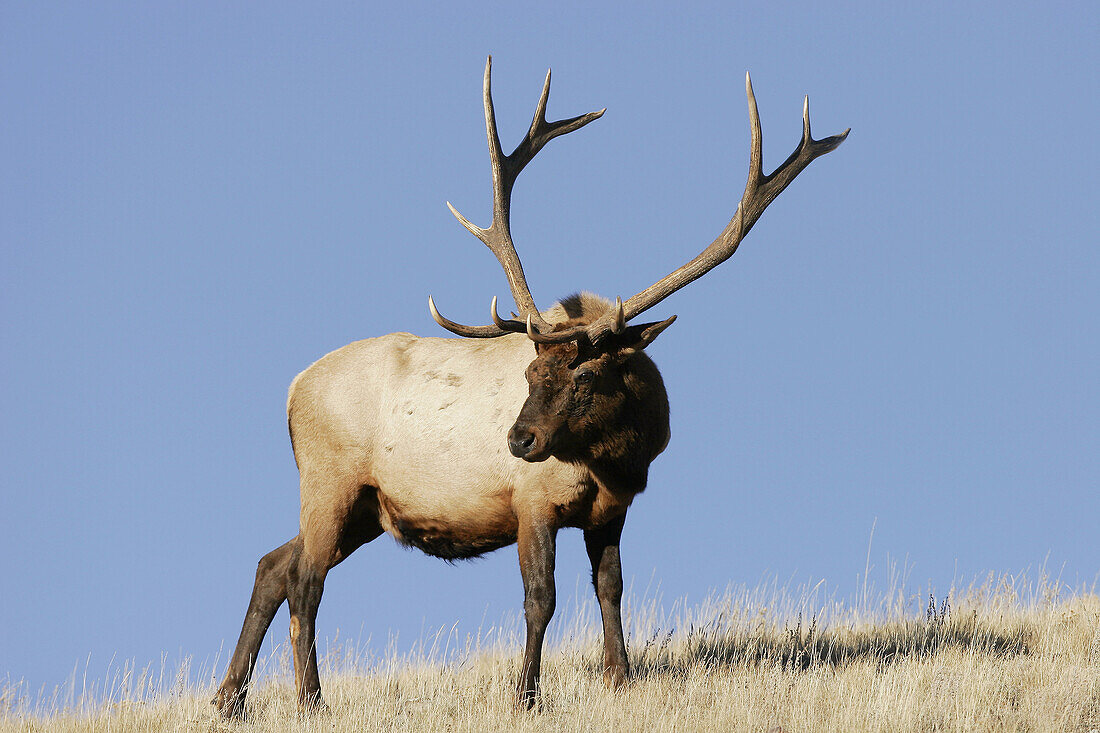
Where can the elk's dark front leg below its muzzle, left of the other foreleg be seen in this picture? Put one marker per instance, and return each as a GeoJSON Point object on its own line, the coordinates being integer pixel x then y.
{"type": "Point", "coordinates": [536, 564]}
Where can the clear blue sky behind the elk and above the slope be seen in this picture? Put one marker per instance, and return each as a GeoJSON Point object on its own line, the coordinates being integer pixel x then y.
{"type": "Point", "coordinates": [199, 200]}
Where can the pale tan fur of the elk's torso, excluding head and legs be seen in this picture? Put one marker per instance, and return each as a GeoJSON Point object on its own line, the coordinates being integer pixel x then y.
{"type": "Point", "coordinates": [394, 417]}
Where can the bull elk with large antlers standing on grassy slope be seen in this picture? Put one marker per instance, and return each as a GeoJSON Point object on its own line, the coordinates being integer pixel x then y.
{"type": "Point", "coordinates": [446, 446]}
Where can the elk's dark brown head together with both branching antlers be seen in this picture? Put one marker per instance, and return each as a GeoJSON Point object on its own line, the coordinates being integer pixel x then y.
{"type": "Point", "coordinates": [590, 381]}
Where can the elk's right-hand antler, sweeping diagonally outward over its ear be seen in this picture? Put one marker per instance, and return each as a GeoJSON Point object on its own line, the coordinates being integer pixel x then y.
{"type": "Point", "coordinates": [760, 192]}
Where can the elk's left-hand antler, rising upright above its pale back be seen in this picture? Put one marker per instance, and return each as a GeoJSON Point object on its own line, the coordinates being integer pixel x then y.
{"type": "Point", "coordinates": [499, 236]}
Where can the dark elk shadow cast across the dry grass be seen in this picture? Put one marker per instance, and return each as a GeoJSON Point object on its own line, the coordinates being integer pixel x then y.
{"type": "Point", "coordinates": [802, 647]}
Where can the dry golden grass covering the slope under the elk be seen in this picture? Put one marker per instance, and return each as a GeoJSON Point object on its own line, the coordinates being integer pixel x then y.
{"type": "Point", "coordinates": [1005, 657]}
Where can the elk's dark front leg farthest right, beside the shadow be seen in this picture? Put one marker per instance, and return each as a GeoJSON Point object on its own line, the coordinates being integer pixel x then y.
{"type": "Point", "coordinates": [602, 544]}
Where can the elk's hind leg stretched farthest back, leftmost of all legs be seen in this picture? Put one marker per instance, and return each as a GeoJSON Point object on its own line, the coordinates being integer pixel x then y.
{"type": "Point", "coordinates": [268, 596]}
